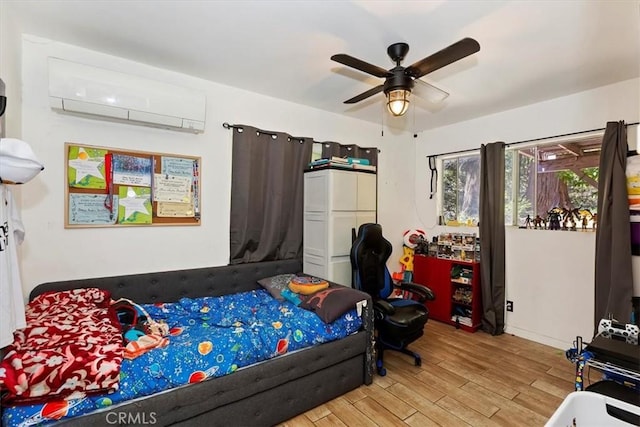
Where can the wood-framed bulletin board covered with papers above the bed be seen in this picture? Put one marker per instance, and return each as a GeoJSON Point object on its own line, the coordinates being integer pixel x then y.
{"type": "Point", "coordinates": [109, 187]}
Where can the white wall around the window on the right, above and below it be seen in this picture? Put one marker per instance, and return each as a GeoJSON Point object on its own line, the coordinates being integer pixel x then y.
{"type": "Point", "coordinates": [549, 274]}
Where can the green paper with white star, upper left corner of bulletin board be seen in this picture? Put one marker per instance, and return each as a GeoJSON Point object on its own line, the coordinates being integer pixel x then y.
{"type": "Point", "coordinates": [86, 167]}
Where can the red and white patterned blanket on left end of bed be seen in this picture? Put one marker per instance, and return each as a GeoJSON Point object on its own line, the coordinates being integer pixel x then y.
{"type": "Point", "coordinates": [72, 345]}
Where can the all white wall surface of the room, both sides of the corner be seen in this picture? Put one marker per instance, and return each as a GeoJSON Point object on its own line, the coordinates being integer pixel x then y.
{"type": "Point", "coordinates": [553, 303]}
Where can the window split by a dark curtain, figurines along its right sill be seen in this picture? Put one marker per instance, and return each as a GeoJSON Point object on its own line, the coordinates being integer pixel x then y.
{"type": "Point", "coordinates": [553, 181]}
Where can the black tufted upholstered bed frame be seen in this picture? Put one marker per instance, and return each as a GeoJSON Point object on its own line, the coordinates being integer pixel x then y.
{"type": "Point", "coordinates": [260, 395]}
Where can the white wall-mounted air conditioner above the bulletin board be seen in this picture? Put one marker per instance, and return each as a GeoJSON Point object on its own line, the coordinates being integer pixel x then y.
{"type": "Point", "coordinates": [109, 95]}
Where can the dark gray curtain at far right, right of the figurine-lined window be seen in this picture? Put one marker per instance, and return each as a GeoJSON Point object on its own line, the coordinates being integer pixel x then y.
{"type": "Point", "coordinates": [613, 281]}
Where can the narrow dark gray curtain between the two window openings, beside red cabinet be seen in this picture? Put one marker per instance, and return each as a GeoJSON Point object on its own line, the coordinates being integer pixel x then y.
{"type": "Point", "coordinates": [492, 270]}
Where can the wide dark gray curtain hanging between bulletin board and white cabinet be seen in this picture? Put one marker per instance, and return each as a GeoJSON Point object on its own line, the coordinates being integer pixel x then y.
{"type": "Point", "coordinates": [267, 187]}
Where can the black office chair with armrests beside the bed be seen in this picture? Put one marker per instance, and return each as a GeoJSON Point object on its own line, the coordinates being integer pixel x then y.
{"type": "Point", "coordinates": [398, 321]}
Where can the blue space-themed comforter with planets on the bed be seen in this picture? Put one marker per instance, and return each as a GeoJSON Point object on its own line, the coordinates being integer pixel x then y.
{"type": "Point", "coordinates": [209, 337]}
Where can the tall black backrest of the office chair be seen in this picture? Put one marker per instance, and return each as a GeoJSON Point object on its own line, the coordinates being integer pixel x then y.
{"type": "Point", "coordinates": [369, 254]}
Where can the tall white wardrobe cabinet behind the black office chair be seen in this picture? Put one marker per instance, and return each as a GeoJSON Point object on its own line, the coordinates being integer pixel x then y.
{"type": "Point", "coordinates": [335, 202]}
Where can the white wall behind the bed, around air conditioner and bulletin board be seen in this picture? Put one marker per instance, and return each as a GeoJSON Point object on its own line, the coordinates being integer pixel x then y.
{"type": "Point", "coordinates": [51, 252]}
